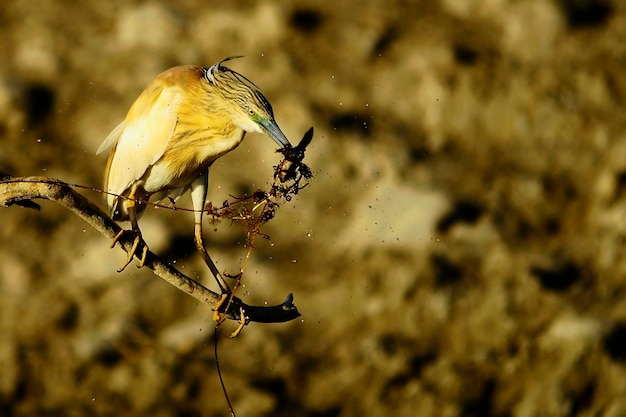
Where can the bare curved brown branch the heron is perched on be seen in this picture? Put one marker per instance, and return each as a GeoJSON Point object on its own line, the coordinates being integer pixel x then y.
{"type": "Point", "coordinates": [21, 190]}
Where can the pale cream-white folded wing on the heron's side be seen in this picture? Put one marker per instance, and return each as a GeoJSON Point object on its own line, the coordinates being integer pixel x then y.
{"type": "Point", "coordinates": [141, 139]}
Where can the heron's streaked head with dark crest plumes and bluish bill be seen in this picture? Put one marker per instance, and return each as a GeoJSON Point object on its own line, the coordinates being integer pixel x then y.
{"type": "Point", "coordinates": [248, 107]}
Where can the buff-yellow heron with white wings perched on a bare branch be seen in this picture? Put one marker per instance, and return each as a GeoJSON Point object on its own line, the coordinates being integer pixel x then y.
{"type": "Point", "coordinates": [185, 119]}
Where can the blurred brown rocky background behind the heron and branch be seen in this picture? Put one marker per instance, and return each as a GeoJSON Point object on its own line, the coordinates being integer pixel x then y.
{"type": "Point", "coordinates": [460, 251]}
